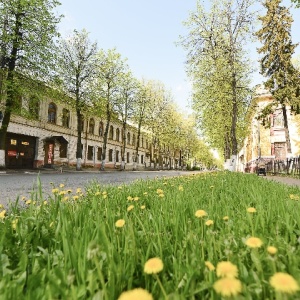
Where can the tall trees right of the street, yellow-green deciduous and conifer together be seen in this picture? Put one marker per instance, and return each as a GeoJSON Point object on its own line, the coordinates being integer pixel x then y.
{"type": "Point", "coordinates": [219, 66]}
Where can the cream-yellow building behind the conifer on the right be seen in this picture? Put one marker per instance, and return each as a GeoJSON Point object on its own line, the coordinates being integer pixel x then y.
{"type": "Point", "coordinates": [267, 138]}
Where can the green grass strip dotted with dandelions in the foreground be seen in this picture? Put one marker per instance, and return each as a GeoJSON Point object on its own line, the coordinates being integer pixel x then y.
{"type": "Point", "coordinates": [71, 249]}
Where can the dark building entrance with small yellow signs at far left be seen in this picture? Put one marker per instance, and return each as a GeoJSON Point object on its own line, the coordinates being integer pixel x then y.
{"type": "Point", "coordinates": [20, 151]}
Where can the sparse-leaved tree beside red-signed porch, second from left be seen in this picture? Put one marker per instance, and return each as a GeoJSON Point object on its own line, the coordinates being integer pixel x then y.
{"type": "Point", "coordinates": [76, 69]}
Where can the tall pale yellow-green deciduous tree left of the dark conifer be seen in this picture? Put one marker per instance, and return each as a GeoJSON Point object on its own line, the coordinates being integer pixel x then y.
{"type": "Point", "coordinates": [219, 68]}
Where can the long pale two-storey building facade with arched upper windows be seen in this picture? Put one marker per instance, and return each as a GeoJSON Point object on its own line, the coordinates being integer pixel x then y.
{"type": "Point", "coordinates": [44, 134]}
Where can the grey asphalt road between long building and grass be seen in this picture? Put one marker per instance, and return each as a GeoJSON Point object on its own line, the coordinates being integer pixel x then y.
{"type": "Point", "coordinates": [19, 184]}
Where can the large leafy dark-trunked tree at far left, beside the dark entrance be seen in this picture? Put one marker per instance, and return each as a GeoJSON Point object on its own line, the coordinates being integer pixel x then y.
{"type": "Point", "coordinates": [26, 47]}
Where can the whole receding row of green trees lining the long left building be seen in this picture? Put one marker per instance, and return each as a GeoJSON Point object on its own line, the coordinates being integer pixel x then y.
{"type": "Point", "coordinates": [93, 81]}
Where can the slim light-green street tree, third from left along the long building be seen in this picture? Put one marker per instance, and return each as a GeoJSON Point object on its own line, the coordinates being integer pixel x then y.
{"type": "Point", "coordinates": [106, 88]}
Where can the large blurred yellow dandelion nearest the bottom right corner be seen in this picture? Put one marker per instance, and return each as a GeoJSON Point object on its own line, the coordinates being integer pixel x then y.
{"type": "Point", "coordinates": [284, 283]}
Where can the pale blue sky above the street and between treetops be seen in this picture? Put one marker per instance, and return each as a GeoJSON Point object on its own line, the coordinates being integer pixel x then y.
{"type": "Point", "coordinates": [146, 33]}
